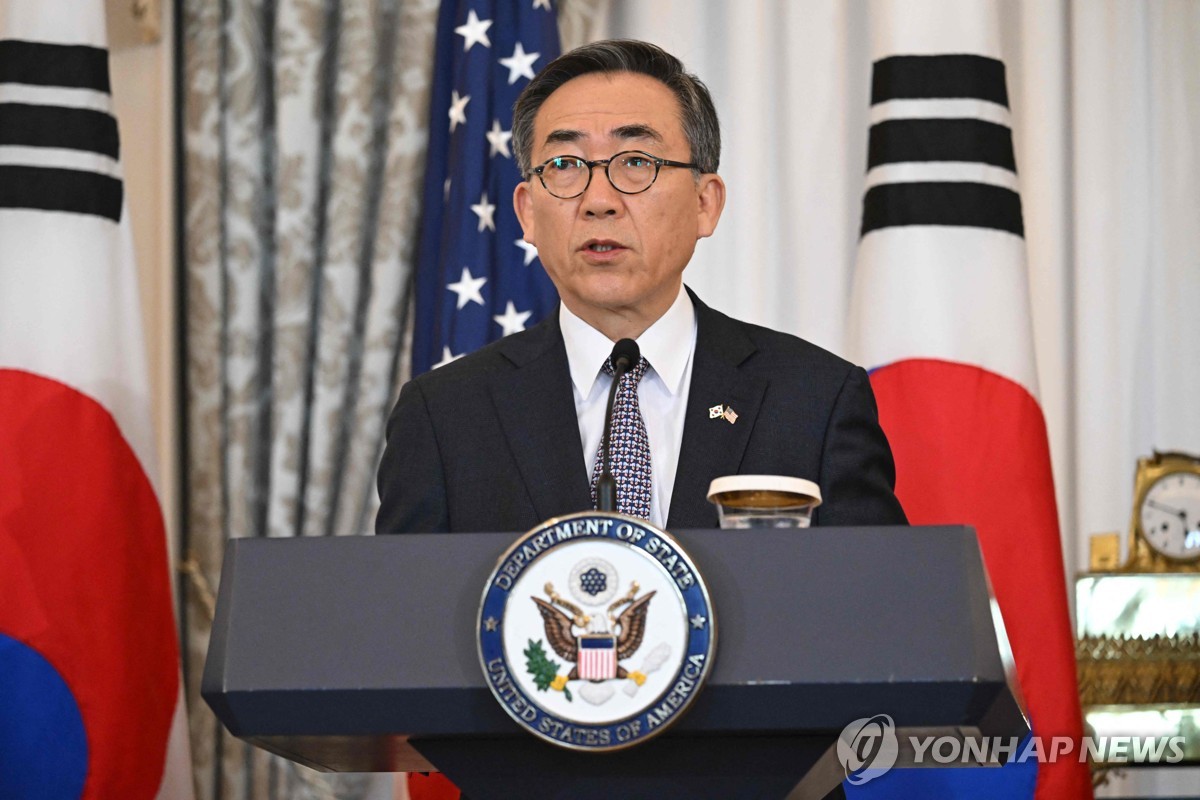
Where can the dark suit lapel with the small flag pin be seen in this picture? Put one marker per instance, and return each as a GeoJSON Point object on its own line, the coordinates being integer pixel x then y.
{"type": "Point", "coordinates": [713, 447]}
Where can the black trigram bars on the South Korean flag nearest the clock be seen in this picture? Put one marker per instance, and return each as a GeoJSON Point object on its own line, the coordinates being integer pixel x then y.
{"type": "Point", "coordinates": [941, 146]}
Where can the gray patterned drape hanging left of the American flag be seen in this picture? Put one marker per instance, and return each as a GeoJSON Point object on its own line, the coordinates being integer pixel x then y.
{"type": "Point", "coordinates": [305, 140]}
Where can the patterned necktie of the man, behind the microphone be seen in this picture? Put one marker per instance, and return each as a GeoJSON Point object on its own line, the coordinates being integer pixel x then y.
{"type": "Point", "coordinates": [631, 447]}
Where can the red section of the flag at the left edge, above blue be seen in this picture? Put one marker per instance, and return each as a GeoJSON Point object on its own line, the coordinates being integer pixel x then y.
{"type": "Point", "coordinates": [82, 526]}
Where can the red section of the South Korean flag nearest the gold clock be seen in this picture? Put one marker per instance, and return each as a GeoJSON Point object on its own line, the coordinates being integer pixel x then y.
{"type": "Point", "coordinates": [971, 449]}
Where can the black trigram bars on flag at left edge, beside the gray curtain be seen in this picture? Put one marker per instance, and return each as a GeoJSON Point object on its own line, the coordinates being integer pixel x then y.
{"type": "Point", "coordinates": [59, 147]}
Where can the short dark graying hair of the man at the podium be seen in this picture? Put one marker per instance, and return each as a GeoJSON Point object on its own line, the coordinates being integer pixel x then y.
{"type": "Point", "coordinates": [699, 116]}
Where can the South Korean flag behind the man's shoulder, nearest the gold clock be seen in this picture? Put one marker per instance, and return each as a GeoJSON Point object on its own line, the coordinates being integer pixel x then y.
{"type": "Point", "coordinates": [941, 316]}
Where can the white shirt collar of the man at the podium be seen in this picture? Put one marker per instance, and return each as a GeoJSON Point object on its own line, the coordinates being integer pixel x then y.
{"type": "Point", "coordinates": [661, 344]}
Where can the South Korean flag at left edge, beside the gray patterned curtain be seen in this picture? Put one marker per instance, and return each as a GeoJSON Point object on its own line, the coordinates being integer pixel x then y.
{"type": "Point", "coordinates": [91, 690]}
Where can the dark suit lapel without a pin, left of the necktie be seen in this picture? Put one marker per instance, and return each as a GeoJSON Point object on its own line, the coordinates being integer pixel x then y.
{"type": "Point", "coordinates": [537, 413]}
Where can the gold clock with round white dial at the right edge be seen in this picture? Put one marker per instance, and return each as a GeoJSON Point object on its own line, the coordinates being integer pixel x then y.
{"type": "Point", "coordinates": [1166, 525]}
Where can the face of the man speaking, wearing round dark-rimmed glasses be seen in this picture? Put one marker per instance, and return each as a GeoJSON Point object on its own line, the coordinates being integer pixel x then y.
{"type": "Point", "coordinates": [617, 260]}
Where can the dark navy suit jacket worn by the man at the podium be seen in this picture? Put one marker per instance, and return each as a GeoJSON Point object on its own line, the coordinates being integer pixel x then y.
{"type": "Point", "coordinates": [491, 442]}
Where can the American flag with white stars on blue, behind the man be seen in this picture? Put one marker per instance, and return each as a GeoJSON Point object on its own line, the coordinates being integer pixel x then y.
{"type": "Point", "coordinates": [477, 280]}
